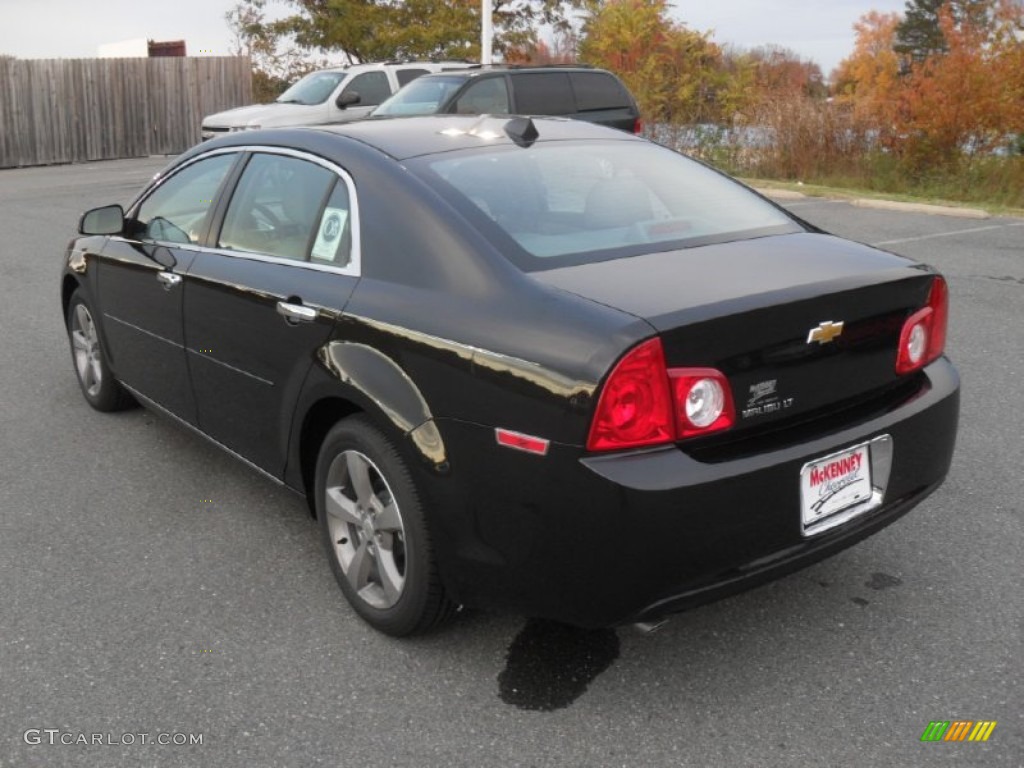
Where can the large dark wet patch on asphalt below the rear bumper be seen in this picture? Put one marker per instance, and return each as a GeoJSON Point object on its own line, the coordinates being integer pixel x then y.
{"type": "Point", "coordinates": [550, 665]}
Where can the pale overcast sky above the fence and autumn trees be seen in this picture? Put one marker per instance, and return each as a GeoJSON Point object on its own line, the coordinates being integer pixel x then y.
{"type": "Point", "coordinates": [821, 30]}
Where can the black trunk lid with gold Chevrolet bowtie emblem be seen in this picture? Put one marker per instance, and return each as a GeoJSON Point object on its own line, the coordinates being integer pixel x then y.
{"type": "Point", "coordinates": [749, 309]}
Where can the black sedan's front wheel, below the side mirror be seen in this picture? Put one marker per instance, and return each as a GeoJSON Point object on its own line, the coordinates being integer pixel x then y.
{"type": "Point", "coordinates": [100, 388]}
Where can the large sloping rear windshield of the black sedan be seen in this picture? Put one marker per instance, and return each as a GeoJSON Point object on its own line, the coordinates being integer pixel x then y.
{"type": "Point", "coordinates": [562, 203]}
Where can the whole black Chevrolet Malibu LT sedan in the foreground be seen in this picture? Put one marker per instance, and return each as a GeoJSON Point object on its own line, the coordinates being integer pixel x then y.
{"type": "Point", "coordinates": [531, 365]}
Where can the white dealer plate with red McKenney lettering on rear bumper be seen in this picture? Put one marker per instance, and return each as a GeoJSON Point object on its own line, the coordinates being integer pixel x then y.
{"type": "Point", "coordinates": [833, 485]}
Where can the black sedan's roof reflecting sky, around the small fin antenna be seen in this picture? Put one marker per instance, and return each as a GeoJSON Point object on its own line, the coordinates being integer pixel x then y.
{"type": "Point", "coordinates": [405, 138]}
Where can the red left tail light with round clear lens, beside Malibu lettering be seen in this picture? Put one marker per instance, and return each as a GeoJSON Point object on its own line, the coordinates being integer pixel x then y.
{"type": "Point", "coordinates": [645, 403]}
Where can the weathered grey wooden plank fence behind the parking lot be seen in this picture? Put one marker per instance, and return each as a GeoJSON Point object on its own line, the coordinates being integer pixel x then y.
{"type": "Point", "coordinates": [73, 110]}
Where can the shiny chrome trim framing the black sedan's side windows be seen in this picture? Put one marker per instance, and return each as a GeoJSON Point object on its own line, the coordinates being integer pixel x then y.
{"type": "Point", "coordinates": [355, 267]}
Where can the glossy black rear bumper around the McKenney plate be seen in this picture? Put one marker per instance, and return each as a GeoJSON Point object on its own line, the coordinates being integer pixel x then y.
{"type": "Point", "coordinates": [608, 540]}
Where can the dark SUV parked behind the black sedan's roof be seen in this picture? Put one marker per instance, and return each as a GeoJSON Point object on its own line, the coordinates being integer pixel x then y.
{"type": "Point", "coordinates": [581, 93]}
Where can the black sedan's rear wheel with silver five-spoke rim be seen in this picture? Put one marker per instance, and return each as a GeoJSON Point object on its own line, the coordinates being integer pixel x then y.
{"type": "Point", "coordinates": [375, 532]}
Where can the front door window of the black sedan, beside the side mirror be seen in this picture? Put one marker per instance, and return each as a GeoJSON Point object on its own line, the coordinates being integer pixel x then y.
{"type": "Point", "coordinates": [178, 210]}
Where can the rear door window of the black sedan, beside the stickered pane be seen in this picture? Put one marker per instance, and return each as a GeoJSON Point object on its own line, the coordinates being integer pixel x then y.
{"type": "Point", "coordinates": [276, 209]}
